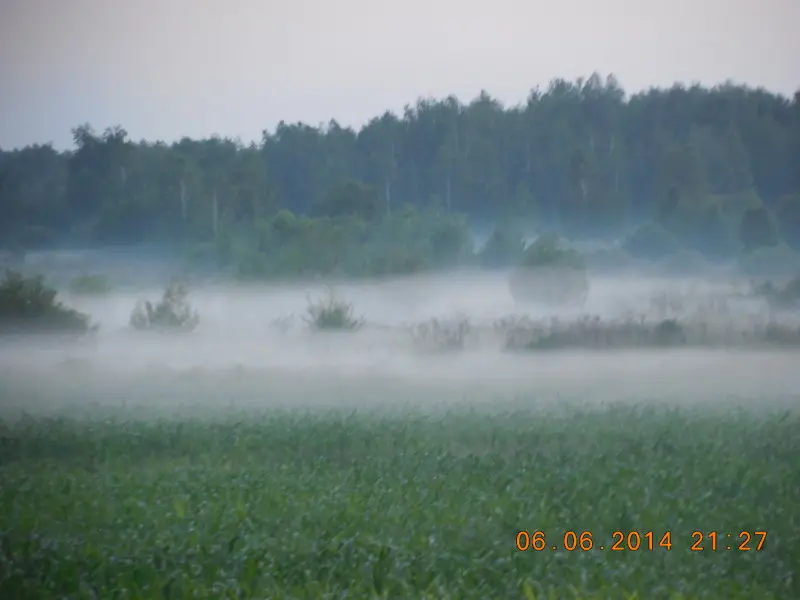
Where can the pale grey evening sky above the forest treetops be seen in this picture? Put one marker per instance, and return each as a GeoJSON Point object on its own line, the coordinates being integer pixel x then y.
{"type": "Point", "coordinates": [164, 69]}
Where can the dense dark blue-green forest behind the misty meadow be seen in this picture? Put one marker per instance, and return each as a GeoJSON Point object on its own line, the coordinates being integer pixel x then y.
{"type": "Point", "coordinates": [712, 171]}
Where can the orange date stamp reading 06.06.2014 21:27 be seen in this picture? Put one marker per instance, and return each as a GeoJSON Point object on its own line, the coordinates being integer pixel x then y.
{"type": "Point", "coordinates": [633, 541]}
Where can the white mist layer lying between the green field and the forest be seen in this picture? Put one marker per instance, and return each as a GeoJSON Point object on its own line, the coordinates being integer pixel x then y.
{"type": "Point", "coordinates": [254, 348]}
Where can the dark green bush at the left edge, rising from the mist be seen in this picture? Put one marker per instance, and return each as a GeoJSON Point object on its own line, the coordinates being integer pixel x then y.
{"type": "Point", "coordinates": [28, 305]}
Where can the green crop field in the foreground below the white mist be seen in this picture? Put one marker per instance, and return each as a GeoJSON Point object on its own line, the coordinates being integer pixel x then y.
{"type": "Point", "coordinates": [403, 504]}
